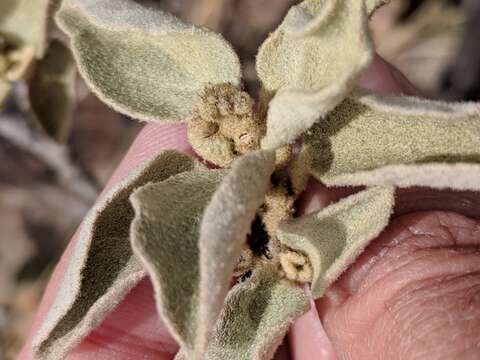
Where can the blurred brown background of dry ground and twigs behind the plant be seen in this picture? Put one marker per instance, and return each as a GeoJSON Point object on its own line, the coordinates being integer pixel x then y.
{"type": "Point", "coordinates": [47, 187]}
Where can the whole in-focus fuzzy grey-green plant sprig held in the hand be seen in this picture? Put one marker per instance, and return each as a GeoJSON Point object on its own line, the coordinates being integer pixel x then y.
{"type": "Point", "coordinates": [226, 252]}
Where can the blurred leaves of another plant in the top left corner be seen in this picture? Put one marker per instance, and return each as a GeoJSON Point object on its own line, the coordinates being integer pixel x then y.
{"type": "Point", "coordinates": [29, 54]}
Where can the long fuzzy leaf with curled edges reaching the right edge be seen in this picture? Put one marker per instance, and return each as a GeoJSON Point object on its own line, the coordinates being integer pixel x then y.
{"type": "Point", "coordinates": [386, 140]}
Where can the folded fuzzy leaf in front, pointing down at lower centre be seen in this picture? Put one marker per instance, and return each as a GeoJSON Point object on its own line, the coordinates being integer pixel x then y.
{"type": "Point", "coordinates": [188, 233]}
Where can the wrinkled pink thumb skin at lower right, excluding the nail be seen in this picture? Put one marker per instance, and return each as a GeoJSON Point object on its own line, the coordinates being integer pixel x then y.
{"type": "Point", "coordinates": [413, 288]}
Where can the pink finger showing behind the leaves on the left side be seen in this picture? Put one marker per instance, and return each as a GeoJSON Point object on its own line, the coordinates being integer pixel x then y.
{"type": "Point", "coordinates": [151, 337]}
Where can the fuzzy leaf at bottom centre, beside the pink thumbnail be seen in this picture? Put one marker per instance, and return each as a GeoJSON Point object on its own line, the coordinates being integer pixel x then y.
{"type": "Point", "coordinates": [256, 317]}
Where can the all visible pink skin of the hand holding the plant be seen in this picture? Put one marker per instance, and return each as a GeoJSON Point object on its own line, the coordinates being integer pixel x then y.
{"type": "Point", "coordinates": [413, 294]}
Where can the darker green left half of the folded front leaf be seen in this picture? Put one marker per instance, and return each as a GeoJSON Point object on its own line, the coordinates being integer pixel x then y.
{"type": "Point", "coordinates": [165, 236]}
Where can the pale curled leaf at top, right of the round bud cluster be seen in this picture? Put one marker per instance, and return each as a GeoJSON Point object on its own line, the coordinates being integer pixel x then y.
{"type": "Point", "coordinates": [312, 61]}
